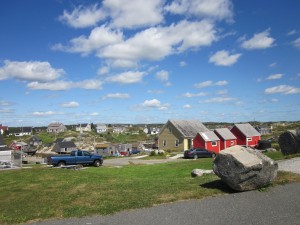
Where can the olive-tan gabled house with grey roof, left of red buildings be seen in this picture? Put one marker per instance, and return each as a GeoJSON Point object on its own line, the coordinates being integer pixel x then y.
{"type": "Point", "coordinates": [179, 134]}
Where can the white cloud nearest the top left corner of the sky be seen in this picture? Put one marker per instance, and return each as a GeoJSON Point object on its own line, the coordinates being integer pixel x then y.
{"type": "Point", "coordinates": [82, 17]}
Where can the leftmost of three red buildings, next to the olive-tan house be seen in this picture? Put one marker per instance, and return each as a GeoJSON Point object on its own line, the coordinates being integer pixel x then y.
{"type": "Point", "coordinates": [208, 140]}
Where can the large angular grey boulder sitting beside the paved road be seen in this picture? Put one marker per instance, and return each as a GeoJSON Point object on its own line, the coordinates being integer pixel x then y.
{"type": "Point", "coordinates": [243, 168]}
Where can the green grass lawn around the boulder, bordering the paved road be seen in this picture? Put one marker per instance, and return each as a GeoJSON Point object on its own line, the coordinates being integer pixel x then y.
{"type": "Point", "coordinates": [41, 193]}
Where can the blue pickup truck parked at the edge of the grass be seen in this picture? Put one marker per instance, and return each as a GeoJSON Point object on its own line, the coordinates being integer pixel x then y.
{"type": "Point", "coordinates": [77, 157]}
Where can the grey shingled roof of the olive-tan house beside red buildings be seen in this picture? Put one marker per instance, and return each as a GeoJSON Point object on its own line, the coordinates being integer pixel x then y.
{"type": "Point", "coordinates": [188, 128]}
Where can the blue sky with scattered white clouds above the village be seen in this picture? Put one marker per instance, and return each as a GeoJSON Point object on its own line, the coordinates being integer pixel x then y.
{"type": "Point", "coordinates": [138, 61]}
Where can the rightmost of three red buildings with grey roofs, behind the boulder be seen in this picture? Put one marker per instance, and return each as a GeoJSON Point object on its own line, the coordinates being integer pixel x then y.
{"type": "Point", "coordinates": [246, 134]}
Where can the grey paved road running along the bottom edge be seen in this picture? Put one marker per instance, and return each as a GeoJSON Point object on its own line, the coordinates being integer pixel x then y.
{"type": "Point", "coordinates": [276, 206]}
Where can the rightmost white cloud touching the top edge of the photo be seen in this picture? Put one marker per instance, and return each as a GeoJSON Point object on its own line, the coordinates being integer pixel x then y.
{"type": "Point", "coordinates": [217, 9]}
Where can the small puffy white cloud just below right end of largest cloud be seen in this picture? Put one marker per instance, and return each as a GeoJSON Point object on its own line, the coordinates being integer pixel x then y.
{"type": "Point", "coordinates": [223, 58]}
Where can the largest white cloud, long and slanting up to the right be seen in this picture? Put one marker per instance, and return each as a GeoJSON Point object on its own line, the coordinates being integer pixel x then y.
{"type": "Point", "coordinates": [158, 42]}
